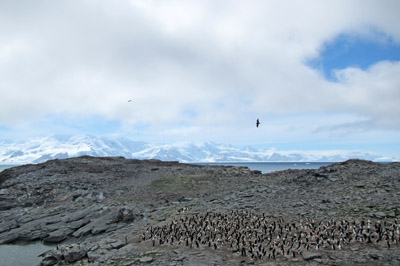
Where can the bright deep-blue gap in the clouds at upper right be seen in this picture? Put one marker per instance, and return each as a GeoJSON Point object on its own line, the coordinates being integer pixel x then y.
{"type": "Point", "coordinates": [354, 51]}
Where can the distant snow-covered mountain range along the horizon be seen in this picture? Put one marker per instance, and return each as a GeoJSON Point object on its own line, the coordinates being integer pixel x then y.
{"type": "Point", "coordinates": [59, 147]}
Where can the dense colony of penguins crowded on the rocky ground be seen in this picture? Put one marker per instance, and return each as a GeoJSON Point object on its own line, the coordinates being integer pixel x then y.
{"type": "Point", "coordinates": [260, 236]}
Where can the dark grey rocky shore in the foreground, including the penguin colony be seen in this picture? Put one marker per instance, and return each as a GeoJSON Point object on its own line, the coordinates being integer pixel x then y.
{"type": "Point", "coordinates": [115, 211]}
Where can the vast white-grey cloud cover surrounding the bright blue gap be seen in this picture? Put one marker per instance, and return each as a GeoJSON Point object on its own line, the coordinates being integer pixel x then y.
{"type": "Point", "coordinates": [226, 61]}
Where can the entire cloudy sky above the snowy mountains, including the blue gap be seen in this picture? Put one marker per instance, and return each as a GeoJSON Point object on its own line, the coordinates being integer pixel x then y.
{"type": "Point", "coordinates": [320, 75]}
